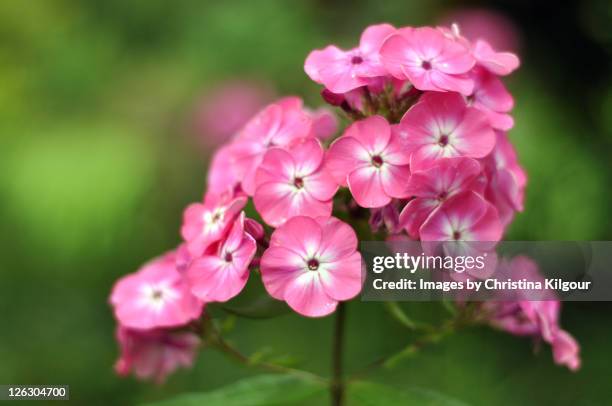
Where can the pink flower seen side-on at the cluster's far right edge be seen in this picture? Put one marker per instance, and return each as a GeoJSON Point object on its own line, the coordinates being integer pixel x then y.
{"type": "Point", "coordinates": [506, 179]}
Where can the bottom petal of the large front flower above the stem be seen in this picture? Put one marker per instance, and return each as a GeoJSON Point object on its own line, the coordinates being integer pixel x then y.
{"type": "Point", "coordinates": [306, 295]}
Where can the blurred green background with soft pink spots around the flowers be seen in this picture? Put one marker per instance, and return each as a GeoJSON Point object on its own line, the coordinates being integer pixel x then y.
{"type": "Point", "coordinates": [106, 132]}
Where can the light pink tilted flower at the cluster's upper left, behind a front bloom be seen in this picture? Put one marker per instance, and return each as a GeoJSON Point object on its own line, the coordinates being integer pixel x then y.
{"type": "Point", "coordinates": [276, 126]}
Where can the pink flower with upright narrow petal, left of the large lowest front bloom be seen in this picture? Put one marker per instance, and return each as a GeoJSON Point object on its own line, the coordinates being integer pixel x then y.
{"type": "Point", "coordinates": [220, 276]}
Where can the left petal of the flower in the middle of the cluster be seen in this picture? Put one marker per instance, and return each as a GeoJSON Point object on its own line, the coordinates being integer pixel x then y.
{"type": "Point", "coordinates": [345, 155]}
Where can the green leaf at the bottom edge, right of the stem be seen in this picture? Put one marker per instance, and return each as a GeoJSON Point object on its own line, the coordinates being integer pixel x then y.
{"type": "Point", "coordinates": [374, 394]}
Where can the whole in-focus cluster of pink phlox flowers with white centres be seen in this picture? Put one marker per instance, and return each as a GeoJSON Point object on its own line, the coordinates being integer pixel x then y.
{"type": "Point", "coordinates": [427, 156]}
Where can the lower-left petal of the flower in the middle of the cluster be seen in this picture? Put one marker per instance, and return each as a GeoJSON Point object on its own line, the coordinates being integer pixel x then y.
{"type": "Point", "coordinates": [366, 187]}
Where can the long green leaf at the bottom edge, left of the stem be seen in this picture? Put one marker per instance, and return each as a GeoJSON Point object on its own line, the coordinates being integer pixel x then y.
{"type": "Point", "coordinates": [257, 391]}
